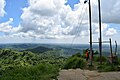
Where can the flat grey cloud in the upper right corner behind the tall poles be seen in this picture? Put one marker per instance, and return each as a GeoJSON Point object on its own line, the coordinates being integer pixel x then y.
{"type": "Point", "coordinates": [110, 11]}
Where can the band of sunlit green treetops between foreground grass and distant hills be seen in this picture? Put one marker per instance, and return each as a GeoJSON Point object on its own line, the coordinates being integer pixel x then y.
{"type": "Point", "coordinates": [10, 58]}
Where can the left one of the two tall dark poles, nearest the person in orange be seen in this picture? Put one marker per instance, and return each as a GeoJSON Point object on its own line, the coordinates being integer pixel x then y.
{"type": "Point", "coordinates": [90, 22]}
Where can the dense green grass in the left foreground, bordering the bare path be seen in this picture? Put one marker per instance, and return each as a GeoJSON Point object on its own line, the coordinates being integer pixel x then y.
{"type": "Point", "coordinates": [38, 72]}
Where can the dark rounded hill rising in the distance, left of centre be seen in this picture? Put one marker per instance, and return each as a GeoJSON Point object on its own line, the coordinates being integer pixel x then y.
{"type": "Point", "coordinates": [39, 49]}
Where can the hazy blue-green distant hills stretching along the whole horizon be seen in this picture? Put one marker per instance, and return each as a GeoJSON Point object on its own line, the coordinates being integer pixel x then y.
{"type": "Point", "coordinates": [67, 49]}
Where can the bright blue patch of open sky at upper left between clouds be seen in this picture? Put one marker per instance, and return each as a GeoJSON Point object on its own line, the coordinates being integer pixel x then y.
{"type": "Point", "coordinates": [13, 10]}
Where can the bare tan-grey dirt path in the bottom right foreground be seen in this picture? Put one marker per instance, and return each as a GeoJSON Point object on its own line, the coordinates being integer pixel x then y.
{"type": "Point", "coordinates": [79, 74]}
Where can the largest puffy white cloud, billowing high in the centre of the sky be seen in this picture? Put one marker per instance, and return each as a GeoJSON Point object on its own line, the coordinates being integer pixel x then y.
{"type": "Point", "coordinates": [52, 20]}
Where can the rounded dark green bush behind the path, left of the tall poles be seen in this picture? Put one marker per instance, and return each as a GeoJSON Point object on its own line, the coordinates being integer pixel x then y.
{"type": "Point", "coordinates": [74, 62]}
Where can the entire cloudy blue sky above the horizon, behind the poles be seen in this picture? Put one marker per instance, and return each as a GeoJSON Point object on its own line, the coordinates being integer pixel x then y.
{"type": "Point", "coordinates": [57, 21]}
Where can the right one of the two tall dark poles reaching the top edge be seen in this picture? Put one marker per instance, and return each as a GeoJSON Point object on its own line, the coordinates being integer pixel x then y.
{"type": "Point", "coordinates": [100, 40]}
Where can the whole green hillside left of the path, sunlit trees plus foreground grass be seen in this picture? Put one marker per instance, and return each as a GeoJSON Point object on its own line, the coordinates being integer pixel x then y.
{"type": "Point", "coordinates": [29, 66]}
